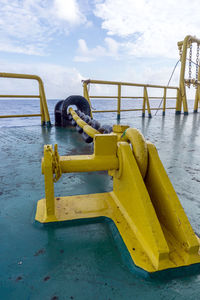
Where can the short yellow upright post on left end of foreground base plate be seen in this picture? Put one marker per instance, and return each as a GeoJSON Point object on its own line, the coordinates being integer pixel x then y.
{"type": "Point", "coordinates": [49, 184]}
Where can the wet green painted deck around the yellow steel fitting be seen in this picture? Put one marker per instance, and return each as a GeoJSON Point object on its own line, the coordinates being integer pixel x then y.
{"type": "Point", "coordinates": [83, 260]}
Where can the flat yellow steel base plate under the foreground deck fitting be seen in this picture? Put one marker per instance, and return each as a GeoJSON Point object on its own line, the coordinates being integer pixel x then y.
{"type": "Point", "coordinates": [106, 205]}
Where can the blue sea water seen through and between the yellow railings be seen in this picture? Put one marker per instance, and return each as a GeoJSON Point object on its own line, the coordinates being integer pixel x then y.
{"type": "Point", "coordinates": [32, 106]}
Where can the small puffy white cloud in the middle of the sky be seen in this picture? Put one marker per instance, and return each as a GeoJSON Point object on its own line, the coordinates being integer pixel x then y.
{"type": "Point", "coordinates": [85, 54]}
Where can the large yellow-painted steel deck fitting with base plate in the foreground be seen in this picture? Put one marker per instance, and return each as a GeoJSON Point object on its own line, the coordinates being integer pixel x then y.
{"type": "Point", "coordinates": [143, 203]}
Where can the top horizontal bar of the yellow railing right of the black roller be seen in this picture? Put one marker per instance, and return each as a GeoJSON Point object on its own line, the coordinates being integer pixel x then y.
{"type": "Point", "coordinates": [129, 84]}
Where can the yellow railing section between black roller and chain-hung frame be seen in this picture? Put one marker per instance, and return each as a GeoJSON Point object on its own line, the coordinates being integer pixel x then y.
{"type": "Point", "coordinates": [119, 97]}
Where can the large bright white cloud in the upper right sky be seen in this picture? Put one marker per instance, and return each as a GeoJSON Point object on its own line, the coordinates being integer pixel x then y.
{"type": "Point", "coordinates": [153, 27]}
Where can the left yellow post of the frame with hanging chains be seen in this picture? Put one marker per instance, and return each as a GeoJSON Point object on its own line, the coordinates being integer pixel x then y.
{"type": "Point", "coordinates": [183, 98]}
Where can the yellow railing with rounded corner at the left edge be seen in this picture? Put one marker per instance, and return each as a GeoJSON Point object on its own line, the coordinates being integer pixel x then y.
{"type": "Point", "coordinates": [44, 113]}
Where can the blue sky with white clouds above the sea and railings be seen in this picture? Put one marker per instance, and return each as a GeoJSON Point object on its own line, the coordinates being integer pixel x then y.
{"type": "Point", "coordinates": [65, 41]}
